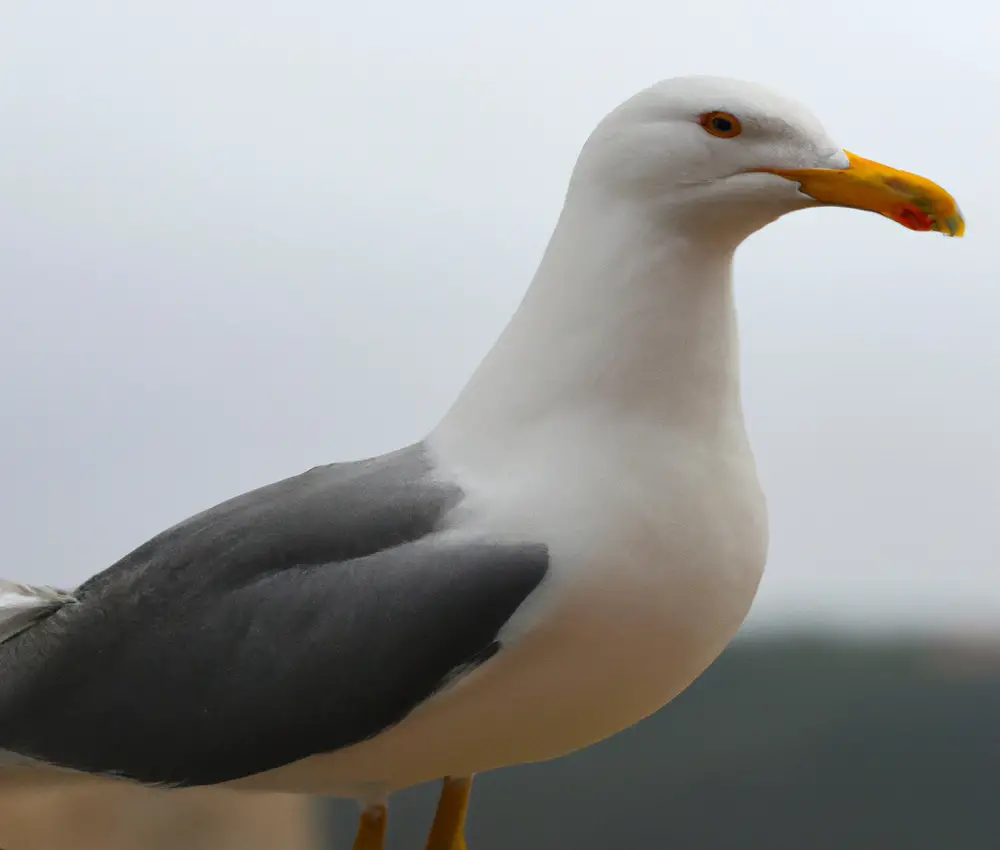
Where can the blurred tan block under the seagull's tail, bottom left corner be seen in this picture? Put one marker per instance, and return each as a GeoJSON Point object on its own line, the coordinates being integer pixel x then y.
{"type": "Point", "coordinates": [131, 818]}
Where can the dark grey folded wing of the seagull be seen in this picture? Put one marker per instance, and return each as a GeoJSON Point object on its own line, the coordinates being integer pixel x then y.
{"type": "Point", "coordinates": [293, 620]}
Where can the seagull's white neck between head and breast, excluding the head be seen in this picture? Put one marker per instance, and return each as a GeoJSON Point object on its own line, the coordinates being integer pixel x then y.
{"type": "Point", "coordinates": [625, 317]}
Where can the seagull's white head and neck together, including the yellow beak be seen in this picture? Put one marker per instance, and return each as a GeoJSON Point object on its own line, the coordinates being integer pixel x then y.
{"type": "Point", "coordinates": [632, 305]}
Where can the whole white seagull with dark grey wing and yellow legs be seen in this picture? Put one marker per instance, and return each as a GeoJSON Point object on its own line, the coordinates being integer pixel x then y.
{"type": "Point", "coordinates": [575, 541]}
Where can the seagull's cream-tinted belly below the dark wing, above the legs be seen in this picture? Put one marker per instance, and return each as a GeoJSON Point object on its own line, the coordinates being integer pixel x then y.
{"type": "Point", "coordinates": [585, 660]}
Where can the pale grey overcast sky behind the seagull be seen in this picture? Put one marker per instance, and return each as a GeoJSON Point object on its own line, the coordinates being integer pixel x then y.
{"type": "Point", "coordinates": [238, 239]}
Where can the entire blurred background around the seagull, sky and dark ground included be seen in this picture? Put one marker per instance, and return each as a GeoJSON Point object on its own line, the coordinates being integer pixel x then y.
{"type": "Point", "coordinates": [239, 239]}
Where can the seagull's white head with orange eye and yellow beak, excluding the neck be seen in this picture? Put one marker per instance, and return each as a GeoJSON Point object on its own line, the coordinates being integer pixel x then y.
{"type": "Point", "coordinates": [710, 152]}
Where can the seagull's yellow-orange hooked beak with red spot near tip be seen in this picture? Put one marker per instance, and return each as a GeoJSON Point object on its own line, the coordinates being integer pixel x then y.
{"type": "Point", "coordinates": [908, 199]}
